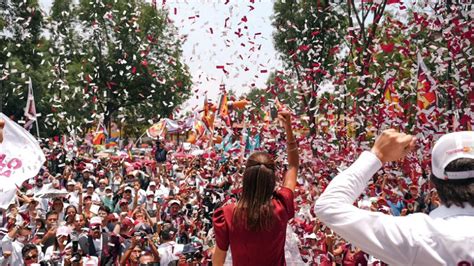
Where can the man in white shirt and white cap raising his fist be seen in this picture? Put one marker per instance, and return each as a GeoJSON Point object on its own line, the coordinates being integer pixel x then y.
{"type": "Point", "coordinates": [444, 237]}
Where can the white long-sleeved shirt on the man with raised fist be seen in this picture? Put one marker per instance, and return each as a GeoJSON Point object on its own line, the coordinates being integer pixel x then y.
{"type": "Point", "coordinates": [445, 237]}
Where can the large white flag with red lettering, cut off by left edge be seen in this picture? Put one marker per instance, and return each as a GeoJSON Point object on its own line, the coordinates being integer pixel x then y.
{"type": "Point", "coordinates": [21, 157]}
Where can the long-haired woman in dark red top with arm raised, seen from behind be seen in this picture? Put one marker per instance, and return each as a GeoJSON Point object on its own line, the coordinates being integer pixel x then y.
{"type": "Point", "coordinates": [255, 227]}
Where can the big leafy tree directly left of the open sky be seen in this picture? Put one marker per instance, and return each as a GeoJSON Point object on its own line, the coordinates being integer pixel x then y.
{"type": "Point", "coordinates": [133, 67]}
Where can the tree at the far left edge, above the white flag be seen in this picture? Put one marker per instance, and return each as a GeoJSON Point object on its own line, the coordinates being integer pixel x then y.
{"type": "Point", "coordinates": [21, 56]}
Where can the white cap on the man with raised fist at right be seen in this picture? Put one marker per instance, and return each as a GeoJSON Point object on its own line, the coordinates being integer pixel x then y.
{"type": "Point", "coordinates": [448, 148]}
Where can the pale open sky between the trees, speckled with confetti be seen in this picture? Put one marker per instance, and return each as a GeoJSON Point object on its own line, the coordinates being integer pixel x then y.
{"type": "Point", "coordinates": [231, 35]}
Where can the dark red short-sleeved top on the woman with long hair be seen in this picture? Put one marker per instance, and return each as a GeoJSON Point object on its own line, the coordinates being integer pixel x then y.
{"type": "Point", "coordinates": [255, 248]}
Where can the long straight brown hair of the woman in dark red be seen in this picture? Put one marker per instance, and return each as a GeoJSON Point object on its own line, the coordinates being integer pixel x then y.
{"type": "Point", "coordinates": [254, 210]}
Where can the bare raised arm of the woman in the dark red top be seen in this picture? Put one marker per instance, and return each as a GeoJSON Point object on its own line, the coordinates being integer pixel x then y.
{"type": "Point", "coordinates": [292, 151]}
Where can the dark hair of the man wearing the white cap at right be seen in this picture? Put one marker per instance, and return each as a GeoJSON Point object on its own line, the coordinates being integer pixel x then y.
{"type": "Point", "coordinates": [457, 192]}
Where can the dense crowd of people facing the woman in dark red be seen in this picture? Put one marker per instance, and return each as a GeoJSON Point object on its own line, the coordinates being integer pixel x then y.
{"type": "Point", "coordinates": [157, 207]}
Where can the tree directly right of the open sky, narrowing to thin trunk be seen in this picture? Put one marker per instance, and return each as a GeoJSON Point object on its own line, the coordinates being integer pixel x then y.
{"type": "Point", "coordinates": [308, 36]}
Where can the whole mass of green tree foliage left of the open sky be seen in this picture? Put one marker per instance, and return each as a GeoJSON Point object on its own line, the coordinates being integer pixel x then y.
{"type": "Point", "coordinates": [98, 61]}
